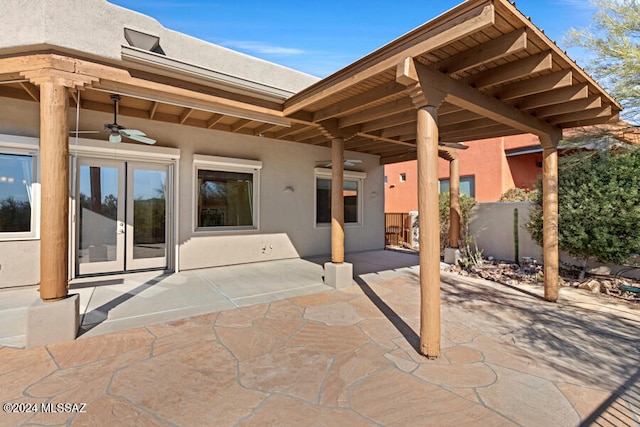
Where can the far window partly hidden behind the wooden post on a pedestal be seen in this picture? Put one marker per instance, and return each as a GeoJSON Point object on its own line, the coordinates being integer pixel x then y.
{"type": "Point", "coordinates": [351, 190]}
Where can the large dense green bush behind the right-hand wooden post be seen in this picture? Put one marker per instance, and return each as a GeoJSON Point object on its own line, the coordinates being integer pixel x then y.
{"type": "Point", "coordinates": [599, 206]}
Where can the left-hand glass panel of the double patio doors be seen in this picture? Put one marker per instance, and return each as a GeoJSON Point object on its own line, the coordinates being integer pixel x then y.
{"type": "Point", "coordinates": [101, 209]}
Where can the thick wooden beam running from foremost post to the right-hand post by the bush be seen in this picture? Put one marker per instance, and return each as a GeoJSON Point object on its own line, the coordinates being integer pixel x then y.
{"type": "Point", "coordinates": [466, 97]}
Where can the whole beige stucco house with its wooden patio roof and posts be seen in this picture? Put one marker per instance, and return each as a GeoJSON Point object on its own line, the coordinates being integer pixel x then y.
{"type": "Point", "coordinates": [208, 157]}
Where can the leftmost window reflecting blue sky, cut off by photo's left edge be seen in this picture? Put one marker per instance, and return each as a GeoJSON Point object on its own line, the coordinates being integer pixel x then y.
{"type": "Point", "coordinates": [17, 195]}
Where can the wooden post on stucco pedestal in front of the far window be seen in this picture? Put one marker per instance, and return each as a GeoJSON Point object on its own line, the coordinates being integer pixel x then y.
{"type": "Point", "coordinates": [337, 201]}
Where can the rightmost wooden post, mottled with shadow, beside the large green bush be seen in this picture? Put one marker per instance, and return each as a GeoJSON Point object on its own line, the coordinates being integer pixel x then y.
{"type": "Point", "coordinates": [550, 222]}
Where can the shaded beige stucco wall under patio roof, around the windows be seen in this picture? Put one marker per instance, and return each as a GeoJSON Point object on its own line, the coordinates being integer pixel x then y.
{"type": "Point", "coordinates": [287, 220]}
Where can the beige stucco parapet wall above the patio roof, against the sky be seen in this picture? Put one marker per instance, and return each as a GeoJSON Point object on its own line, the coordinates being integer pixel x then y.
{"type": "Point", "coordinates": [96, 28]}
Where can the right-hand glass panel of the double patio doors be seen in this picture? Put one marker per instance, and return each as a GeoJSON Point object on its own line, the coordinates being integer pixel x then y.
{"type": "Point", "coordinates": [147, 202]}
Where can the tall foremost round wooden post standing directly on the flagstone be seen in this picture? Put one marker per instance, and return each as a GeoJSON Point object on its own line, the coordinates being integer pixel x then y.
{"type": "Point", "coordinates": [429, 234]}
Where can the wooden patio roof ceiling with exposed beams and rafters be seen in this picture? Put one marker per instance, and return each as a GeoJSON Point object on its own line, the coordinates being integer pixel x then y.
{"type": "Point", "coordinates": [500, 73]}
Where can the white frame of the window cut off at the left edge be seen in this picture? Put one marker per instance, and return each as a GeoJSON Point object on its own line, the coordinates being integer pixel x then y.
{"type": "Point", "coordinates": [26, 147]}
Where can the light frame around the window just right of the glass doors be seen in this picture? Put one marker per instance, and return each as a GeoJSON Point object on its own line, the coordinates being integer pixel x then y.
{"type": "Point", "coordinates": [226, 164]}
